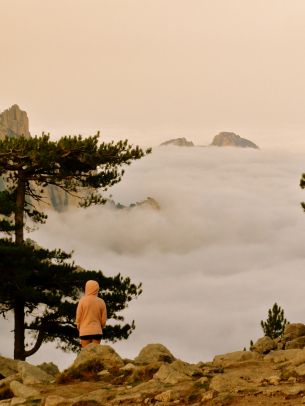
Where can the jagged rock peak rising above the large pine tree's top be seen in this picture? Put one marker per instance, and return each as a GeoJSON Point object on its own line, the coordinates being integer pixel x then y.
{"type": "Point", "coordinates": [14, 122]}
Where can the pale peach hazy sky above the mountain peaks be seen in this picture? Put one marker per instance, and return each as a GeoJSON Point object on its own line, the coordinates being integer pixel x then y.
{"type": "Point", "coordinates": [155, 69]}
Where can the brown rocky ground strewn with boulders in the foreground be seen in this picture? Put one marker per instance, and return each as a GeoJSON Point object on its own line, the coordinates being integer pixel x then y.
{"type": "Point", "coordinates": [273, 373]}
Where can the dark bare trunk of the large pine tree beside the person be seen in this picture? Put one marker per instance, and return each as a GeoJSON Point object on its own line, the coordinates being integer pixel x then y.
{"type": "Point", "coordinates": [19, 334]}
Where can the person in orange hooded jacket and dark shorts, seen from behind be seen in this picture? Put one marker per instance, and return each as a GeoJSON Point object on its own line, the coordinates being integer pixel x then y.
{"type": "Point", "coordinates": [91, 315]}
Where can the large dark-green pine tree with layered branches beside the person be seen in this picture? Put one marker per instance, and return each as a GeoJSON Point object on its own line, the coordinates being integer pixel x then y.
{"type": "Point", "coordinates": [27, 167]}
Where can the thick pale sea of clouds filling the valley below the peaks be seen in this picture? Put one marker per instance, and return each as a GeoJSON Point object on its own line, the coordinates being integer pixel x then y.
{"type": "Point", "coordinates": [226, 244]}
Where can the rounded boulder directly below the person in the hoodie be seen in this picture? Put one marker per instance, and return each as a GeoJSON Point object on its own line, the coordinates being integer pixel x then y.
{"type": "Point", "coordinates": [104, 355]}
